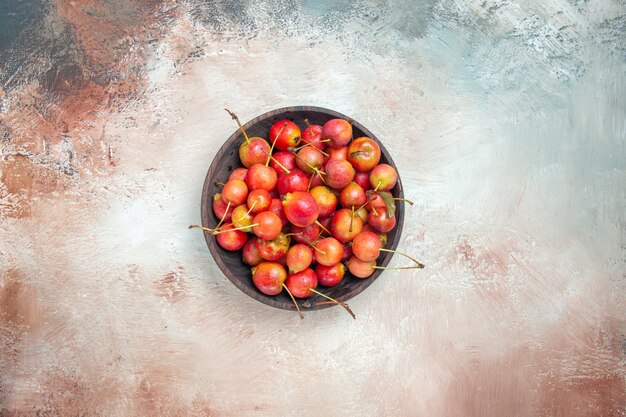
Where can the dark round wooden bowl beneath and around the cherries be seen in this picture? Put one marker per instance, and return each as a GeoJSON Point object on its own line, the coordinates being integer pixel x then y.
{"type": "Point", "coordinates": [227, 159]}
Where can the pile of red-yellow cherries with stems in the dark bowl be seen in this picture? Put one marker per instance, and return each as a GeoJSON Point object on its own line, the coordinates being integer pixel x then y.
{"type": "Point", "coordinates": [306, 205]}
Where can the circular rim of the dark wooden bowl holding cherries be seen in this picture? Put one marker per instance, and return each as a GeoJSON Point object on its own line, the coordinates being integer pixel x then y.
{"type": "Point", "coordinates": [206, 211]}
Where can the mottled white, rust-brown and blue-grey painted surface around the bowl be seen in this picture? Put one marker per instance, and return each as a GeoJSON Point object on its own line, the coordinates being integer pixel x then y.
{"type": "Point", "coordinates": [507, 122]}
